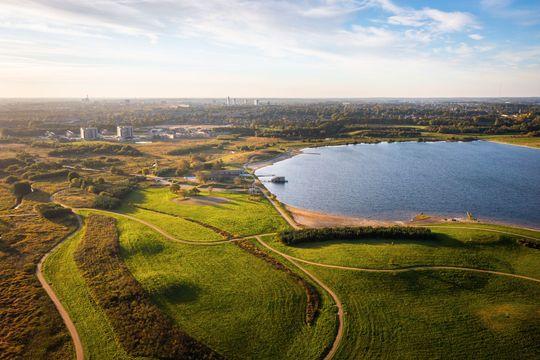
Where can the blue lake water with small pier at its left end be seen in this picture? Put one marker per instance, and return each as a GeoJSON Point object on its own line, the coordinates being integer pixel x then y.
{"type": "Point", "coordinates": [395, 181]}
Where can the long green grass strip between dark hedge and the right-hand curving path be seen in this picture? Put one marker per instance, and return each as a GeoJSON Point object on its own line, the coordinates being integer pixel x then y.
{"type": "Point", "coordinates": [455, 245]}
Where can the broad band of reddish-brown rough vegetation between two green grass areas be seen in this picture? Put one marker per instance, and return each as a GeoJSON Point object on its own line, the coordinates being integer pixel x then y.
{"type": "Point", "coordinates": [143, 330]}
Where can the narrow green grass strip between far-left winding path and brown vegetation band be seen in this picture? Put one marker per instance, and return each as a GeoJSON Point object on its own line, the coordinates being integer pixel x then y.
{"type": "Point", "coordinates": [95, 330]}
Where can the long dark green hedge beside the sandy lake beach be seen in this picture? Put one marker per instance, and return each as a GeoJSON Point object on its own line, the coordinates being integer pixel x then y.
{"type": "Point", "coordinates": [291, 237]}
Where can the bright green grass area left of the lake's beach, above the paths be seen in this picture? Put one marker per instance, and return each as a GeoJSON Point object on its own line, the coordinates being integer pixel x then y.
{"type": "Point", "coordinates": [236, 213]}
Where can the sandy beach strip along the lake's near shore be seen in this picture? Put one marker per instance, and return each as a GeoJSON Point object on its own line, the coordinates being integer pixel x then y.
{"type": "Point", "coordinates": [314, 219]}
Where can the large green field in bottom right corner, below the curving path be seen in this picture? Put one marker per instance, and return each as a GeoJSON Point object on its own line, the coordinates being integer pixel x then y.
{"type": "Point", "coordinates": [436, 315]}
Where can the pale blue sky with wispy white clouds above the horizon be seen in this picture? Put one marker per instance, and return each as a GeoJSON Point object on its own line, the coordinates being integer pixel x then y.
{"type": "Point", "coordinates": [257, 49]}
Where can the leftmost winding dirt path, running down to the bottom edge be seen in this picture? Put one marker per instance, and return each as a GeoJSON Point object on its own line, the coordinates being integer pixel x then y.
{"type": "Point", "coordinates": [79, 353]}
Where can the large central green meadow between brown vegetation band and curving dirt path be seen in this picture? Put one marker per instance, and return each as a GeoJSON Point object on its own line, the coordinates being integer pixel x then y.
{"type": "Point", "coordinates": [229, 299]}
